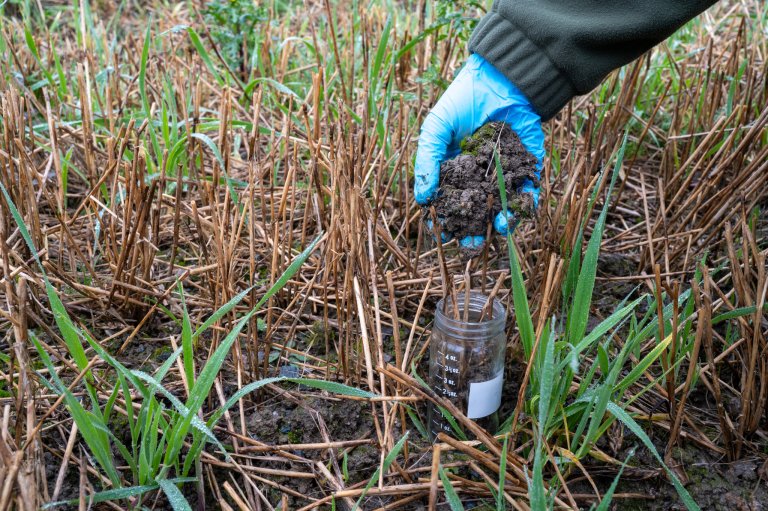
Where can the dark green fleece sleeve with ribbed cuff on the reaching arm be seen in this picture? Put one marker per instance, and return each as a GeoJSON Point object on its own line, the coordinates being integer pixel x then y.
{"type": "Point", "coordinates": [553, 50]}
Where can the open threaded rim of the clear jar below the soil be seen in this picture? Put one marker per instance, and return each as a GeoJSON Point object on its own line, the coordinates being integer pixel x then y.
{"type": "Point", "coordinates": [445, 318]}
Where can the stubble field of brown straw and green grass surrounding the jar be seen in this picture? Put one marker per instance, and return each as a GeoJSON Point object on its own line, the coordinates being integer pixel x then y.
{"type": "Point", "coordinates": [217, 291]}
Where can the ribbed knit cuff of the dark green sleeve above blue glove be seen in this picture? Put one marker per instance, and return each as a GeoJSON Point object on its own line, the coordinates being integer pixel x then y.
{"type": "Point", "coordinates": [526, 65]}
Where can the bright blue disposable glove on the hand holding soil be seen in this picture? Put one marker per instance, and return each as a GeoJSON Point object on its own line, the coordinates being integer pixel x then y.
{"type": "Point", "coordinates": [479, 94]}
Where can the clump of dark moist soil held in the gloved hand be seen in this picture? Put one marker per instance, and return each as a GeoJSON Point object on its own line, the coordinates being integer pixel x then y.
{"type": "Point", "coordinates": [468, 195]}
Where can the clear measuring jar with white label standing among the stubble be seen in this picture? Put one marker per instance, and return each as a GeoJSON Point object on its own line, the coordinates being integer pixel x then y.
{"type": "Point", "coordinates": [466, 360]}
